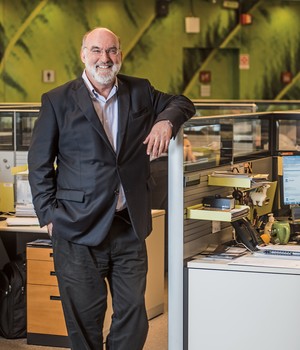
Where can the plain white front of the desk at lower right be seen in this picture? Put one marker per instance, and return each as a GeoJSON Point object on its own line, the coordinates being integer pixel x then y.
{"type": "Point", "coordinates": [243, 307]}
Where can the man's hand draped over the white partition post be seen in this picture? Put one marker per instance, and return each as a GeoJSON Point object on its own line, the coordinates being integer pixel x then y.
{"type": "Point", "coordinates": [159, 138]}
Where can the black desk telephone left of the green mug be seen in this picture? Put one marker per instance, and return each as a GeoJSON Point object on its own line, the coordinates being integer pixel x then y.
{"type": "Point", "coordinates": [245, 233]}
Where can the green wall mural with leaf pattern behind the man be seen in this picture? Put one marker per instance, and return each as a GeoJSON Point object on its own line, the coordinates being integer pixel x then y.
{"type": "Point", "coordinates": [44, 37]}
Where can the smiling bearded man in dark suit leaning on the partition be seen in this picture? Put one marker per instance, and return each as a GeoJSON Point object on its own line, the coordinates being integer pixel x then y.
{"type": "Point", "coordinates": [100, 130]}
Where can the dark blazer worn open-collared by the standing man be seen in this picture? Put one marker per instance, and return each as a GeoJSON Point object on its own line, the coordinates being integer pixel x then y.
{"type": "Point", "coordinates": [79, 196]}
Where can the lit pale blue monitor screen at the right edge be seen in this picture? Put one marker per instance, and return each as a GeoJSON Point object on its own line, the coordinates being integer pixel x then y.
{"type": "Point", "coordinates": [291, 180]}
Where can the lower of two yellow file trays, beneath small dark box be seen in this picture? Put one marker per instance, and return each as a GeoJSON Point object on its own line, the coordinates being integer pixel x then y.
{"type": "Point", "coordinates": [199, 212]}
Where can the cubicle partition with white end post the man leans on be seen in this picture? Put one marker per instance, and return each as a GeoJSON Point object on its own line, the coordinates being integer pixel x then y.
{"type": "Point", "coordinates": [250, 142]}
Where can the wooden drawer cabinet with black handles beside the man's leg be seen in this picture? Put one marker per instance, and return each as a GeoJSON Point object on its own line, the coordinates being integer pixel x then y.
{"type": "Point", "coordinates": [45, 319]}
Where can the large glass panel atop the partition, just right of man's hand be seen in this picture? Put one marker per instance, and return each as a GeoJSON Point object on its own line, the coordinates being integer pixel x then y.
{"type": "Point", "coordinates": [221, 140]}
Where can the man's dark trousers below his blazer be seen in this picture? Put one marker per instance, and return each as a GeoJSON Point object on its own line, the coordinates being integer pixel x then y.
{"type": "Point", "coordinates": [82, 272]}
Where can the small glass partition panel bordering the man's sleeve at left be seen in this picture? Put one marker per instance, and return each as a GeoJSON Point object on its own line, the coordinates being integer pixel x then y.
{"type": "Point", "coordinates": [25, 122]}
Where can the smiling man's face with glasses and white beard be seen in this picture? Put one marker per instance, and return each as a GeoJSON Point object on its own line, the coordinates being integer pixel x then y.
{"type": "Point", "coordinates": [102, 56]}
